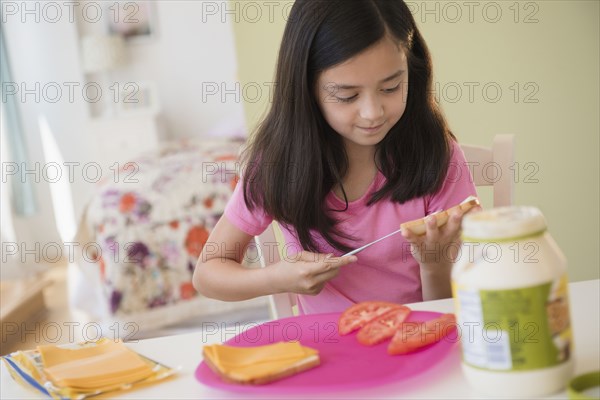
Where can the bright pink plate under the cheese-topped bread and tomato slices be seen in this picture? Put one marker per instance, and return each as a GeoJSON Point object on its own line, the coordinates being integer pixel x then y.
{"type": "Point", "coordinates": [345, 363]}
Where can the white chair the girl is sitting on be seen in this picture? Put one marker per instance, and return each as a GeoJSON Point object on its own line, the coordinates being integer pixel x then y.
{"type": "Point", "coordinates": [489, 166]}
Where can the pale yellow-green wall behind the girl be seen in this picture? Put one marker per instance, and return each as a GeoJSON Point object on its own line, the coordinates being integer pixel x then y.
{"type": "Point", "coordinates": [544, 58]}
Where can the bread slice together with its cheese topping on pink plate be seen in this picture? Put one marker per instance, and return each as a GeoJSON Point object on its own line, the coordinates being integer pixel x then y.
{"type": "Point", "coordinates": [260, 364]}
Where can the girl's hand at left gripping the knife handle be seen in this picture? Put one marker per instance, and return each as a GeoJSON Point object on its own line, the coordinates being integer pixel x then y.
{"type": "Point", "coordinates": [306, 272]}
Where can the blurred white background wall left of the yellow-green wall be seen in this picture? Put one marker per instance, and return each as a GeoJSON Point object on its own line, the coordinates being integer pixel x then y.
{"type": "Point", "coordinates": [44, 47]}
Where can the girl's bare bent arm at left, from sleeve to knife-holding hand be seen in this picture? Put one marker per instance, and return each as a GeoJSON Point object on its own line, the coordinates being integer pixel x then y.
{"type": "Point", "coordinates": [220, 275]}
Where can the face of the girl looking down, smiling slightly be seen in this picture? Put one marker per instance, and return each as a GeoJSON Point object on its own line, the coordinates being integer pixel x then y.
{"type": "Point", "coordinates": [365, 96]}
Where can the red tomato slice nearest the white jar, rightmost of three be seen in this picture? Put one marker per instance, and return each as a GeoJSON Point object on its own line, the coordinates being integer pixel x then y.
{"type": "Point", "coordinates": [413, 335]}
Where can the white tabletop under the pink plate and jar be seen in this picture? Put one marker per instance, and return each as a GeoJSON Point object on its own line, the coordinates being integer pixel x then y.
{"type": "Point", "coordinates": [444, 380]}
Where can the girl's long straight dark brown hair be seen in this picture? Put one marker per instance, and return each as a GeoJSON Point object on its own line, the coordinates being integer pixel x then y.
{"type": "Point", "coordinates": [295, 158]}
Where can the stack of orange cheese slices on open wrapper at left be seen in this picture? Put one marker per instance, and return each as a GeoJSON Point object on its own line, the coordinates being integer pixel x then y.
{"type": "Point", "coordinates": [105, 364]}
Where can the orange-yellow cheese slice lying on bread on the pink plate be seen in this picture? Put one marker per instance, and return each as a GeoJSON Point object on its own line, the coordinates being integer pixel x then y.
{"type": "Point", "coordinates": [247, 363]}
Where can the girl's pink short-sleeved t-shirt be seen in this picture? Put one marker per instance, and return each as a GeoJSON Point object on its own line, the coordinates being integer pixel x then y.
{"type": "Point", "coordinates": [386, 271]}
